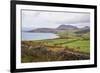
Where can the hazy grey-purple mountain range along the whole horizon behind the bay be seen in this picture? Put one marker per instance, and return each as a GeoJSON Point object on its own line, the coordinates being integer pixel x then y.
{"type": "Point", "coordinates": [61, 28]}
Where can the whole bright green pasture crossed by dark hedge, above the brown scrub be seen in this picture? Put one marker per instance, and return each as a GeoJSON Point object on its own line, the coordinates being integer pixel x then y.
{"type": "Point", "coordinates": [79, 45]}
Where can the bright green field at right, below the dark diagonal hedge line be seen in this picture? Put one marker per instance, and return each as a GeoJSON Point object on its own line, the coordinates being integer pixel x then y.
{"type": "Point", "coordinates": [79, 45]}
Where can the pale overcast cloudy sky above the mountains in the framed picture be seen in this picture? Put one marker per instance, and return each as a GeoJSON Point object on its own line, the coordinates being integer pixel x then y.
{"type": "Point", "coordinates": [45, 19]}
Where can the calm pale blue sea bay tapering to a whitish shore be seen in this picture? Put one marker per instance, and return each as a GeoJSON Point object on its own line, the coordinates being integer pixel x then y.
{"type": "Point", "coordinates": [29, 36]}
